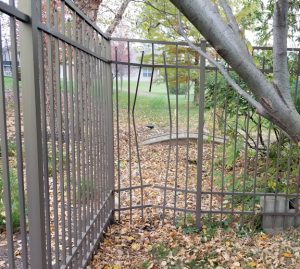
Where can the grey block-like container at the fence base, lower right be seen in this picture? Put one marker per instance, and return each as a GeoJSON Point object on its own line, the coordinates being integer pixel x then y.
{"type": "Point", "coordinates": [279, 213]}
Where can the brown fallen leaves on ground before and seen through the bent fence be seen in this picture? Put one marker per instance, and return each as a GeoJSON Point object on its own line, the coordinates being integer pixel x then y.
{"type": "Point", "coordinates": [149, 243]}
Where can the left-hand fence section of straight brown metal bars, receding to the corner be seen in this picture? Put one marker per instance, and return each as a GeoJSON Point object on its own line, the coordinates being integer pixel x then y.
{"type": "Point", "coordinates": [56, 155]}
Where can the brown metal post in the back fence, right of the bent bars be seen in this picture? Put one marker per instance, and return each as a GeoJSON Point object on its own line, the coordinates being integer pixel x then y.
{"type": "Point", "coordinates": [200, 136]}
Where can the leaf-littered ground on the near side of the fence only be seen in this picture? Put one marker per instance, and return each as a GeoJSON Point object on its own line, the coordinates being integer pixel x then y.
{"type": "Point", "coordinates": [148, 244]}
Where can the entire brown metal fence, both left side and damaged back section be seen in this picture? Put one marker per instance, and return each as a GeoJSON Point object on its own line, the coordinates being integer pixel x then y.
{"type": "Point", "coordinates": [187, 148]}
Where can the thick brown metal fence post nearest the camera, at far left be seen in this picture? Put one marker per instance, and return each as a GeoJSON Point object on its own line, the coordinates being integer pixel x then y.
{"type": "Point", "coordinates": [29, 39]}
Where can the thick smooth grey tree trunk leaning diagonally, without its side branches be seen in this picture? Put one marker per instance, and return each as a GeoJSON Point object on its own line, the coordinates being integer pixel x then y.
{"type": "Point", "coordinates": [276, 105]}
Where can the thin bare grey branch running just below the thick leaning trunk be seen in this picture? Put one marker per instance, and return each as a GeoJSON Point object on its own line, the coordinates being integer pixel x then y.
{"type": "Point", "coordinates": [232, 83]}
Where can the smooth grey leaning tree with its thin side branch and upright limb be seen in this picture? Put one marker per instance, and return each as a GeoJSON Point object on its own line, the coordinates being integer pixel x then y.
{"type": "Point", "coordinates": [273, 100]}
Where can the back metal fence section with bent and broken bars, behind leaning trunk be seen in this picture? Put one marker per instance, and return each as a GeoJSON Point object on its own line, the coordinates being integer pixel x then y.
{"type": "Point", "coordinates": [215, 162]}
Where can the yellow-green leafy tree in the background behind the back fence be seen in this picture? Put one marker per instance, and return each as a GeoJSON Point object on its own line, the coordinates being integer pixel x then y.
{"type": "Point", "coordinates": [158, 20]}
